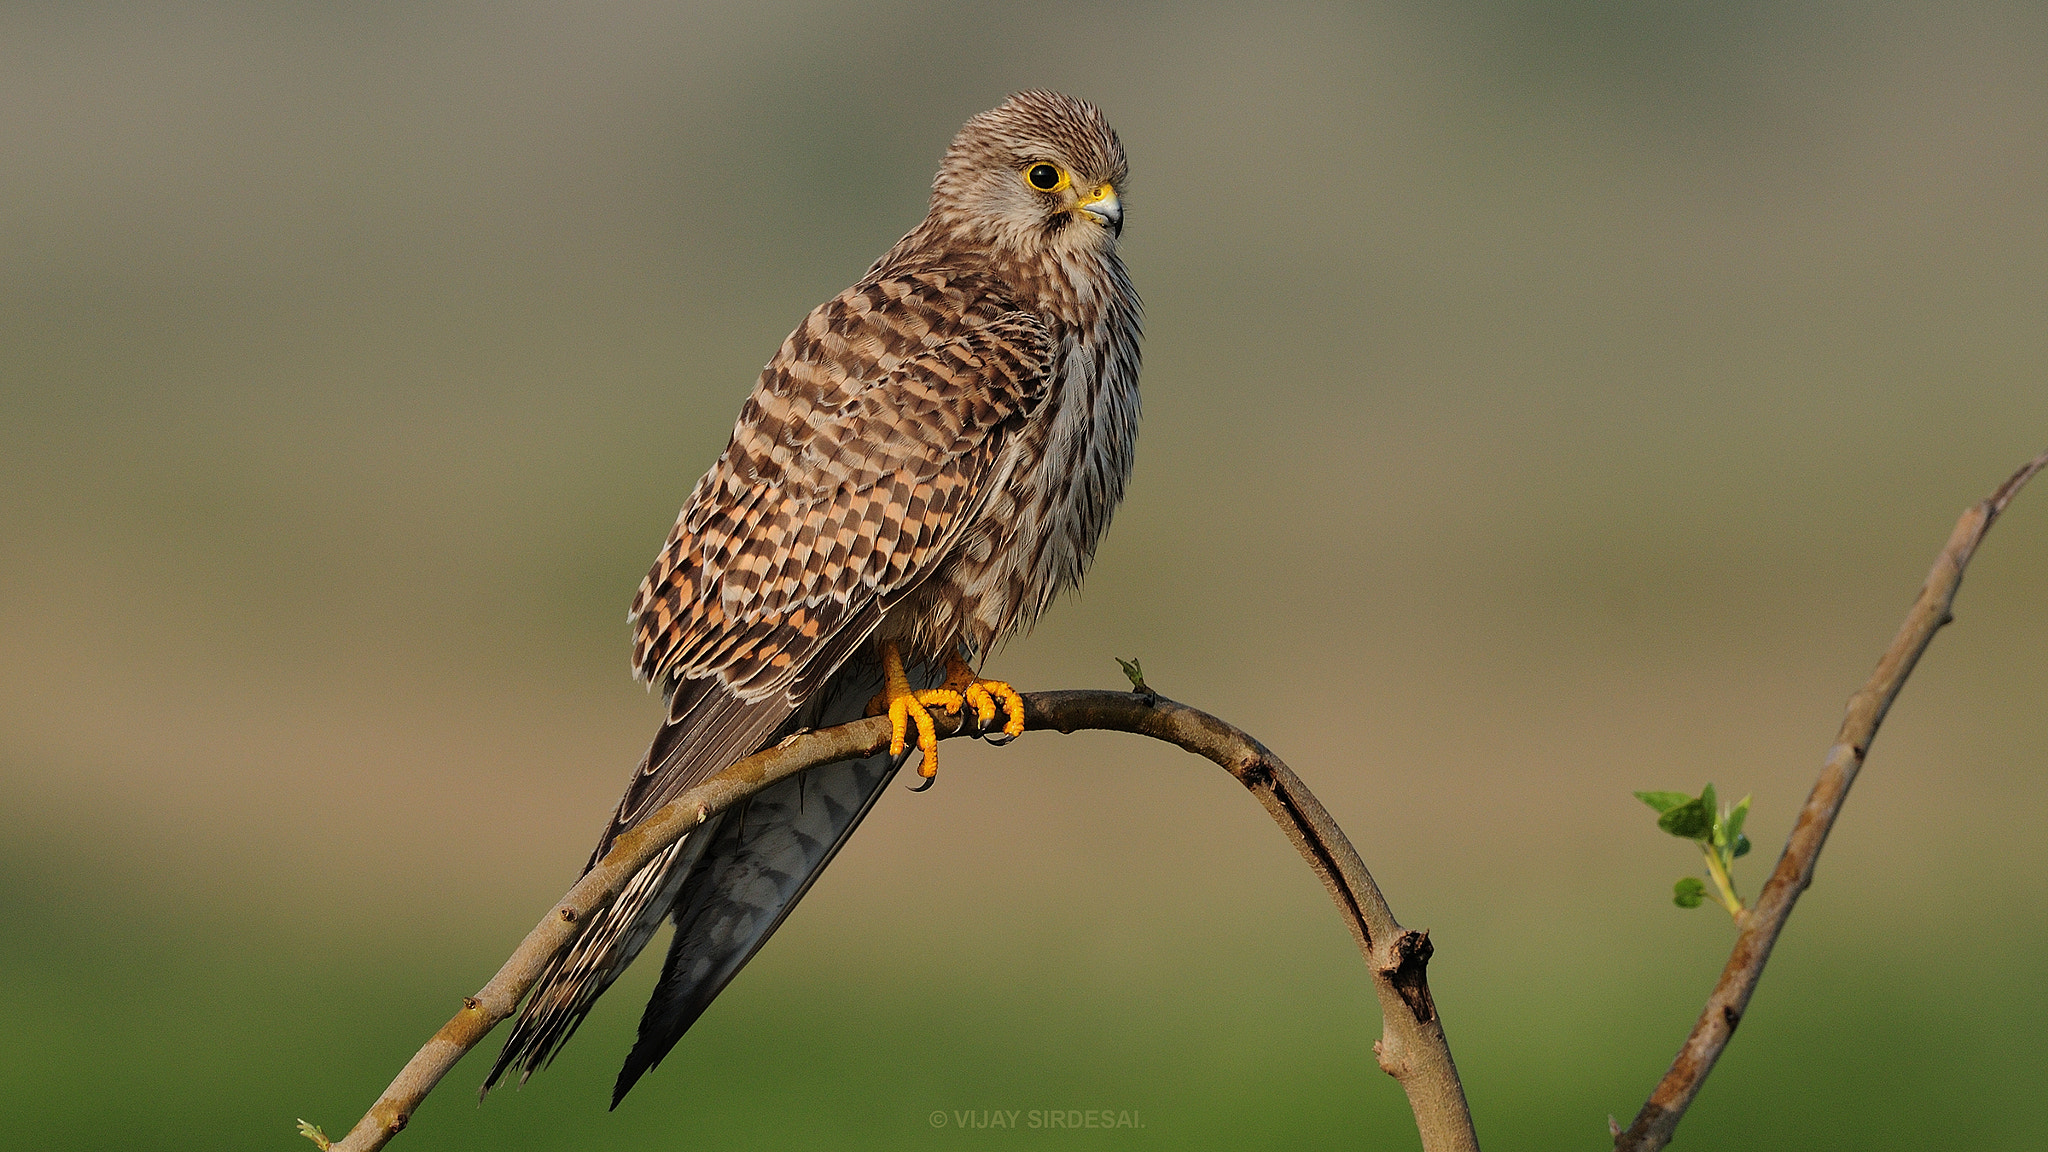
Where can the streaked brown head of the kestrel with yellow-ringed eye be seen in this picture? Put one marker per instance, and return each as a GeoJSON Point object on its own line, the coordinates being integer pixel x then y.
{"type": "Point", "coordinates": [1039, 175]}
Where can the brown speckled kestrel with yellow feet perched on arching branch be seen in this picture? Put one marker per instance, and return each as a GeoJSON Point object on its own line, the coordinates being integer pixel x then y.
{"type": "Point", "coordinates": [925, 464]}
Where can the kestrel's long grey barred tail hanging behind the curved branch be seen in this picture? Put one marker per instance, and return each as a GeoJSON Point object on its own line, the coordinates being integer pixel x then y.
{"type": "Point", "coordinates": [728, 887]}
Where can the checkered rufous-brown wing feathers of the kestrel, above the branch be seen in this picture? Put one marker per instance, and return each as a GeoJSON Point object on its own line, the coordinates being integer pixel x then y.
{"type": "Point", "coordinates": [878, 462]}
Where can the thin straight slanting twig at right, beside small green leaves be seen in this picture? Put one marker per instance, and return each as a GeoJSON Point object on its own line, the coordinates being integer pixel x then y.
{"type": "Point", "coordinates": [1725, 1007]}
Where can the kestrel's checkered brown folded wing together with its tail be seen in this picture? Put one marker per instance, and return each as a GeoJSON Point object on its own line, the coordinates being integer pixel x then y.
{"type": "Point", "coordinates": [867, 448]}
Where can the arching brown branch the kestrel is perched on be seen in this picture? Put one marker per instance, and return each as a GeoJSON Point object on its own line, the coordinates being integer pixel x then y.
{"type": "Point", "coordinates": [1412, 1044]}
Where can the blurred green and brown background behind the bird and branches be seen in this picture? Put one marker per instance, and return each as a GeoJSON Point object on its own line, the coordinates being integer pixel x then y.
{"type": "Point", "coordinates": [1541, 403]}
